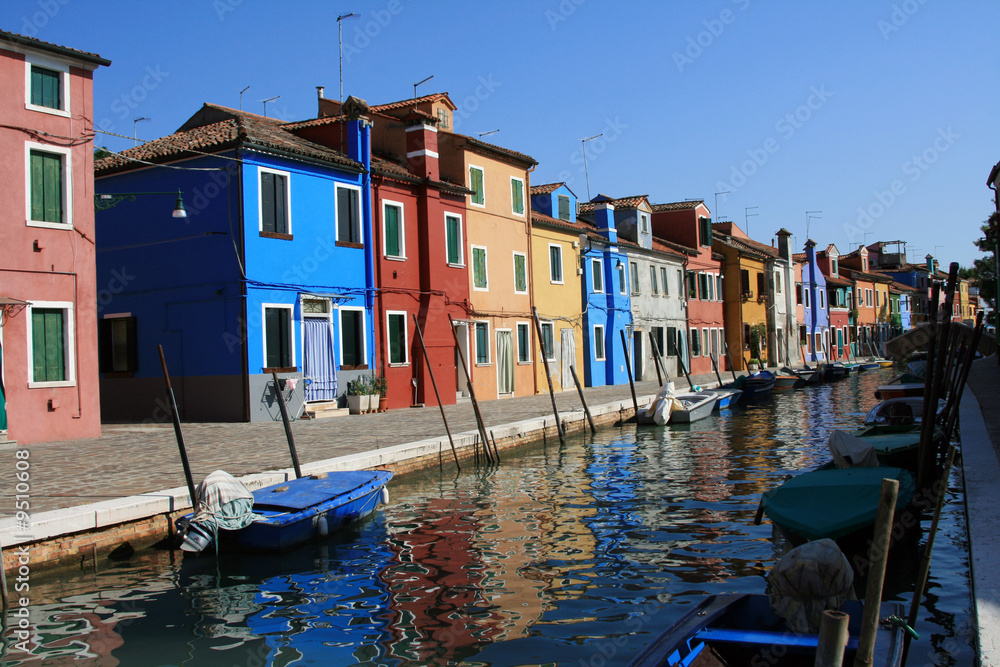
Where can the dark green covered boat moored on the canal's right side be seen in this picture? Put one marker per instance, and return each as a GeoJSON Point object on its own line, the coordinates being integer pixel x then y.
{"type": "Point", "coordinates": [833, 503]}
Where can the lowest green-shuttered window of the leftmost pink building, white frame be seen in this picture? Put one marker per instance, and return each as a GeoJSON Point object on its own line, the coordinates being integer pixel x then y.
{"type": "Point", "coordinates": [51, 335]}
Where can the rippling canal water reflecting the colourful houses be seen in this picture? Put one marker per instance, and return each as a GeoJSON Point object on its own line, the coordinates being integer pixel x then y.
{"type": "Point", "coordinates": [572, 555]}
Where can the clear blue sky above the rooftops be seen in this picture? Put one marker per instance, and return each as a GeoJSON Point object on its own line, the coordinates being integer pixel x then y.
{"type": "Point", "coordinates": [880, 114]}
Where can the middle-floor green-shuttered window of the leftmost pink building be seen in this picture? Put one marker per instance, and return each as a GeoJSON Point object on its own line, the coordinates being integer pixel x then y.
{"type": "Point", "coordinates": [49, 190]}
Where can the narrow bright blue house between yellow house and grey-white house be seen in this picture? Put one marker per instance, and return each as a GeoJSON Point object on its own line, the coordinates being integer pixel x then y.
{"type": "Point", "coordinates": [608, 311]}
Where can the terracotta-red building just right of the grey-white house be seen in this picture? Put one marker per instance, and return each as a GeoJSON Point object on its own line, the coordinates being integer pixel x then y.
{"type": "Point", "coordinates": [687, 225]}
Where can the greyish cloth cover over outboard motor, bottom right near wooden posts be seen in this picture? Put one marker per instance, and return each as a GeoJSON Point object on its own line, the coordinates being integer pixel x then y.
{"type": "Point", "coordinates": [807, 581]}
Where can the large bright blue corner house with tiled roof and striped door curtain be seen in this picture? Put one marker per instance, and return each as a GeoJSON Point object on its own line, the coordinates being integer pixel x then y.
{"type": "Point", "coordinates": [270, 271]}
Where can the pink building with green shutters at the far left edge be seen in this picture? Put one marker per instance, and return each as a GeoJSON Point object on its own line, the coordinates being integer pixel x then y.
{"type": "Point", "coordinates": [48, 291]}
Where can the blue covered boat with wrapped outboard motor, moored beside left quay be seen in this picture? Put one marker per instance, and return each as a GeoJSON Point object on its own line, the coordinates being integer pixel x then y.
{"type": "Point", "coordinates": [291, 513]}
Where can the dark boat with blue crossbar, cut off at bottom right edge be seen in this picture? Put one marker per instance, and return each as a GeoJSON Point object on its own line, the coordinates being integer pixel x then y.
{"type": "Point", "coordinates": [740, 628]}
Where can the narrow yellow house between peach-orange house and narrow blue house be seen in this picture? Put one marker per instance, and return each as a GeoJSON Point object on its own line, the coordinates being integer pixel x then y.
{"type": "Point", "coordinates": [555, 250]}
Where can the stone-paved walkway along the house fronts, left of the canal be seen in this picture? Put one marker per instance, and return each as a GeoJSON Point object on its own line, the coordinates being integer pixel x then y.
{"type": "Point", "coordinates": [129, 460]}
